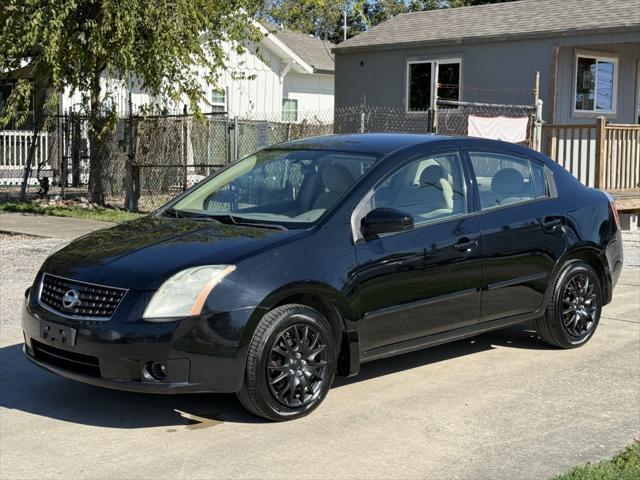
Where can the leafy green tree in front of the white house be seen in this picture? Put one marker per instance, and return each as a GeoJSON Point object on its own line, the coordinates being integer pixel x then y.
{"type": "Point", "coordinates": [163, 46]}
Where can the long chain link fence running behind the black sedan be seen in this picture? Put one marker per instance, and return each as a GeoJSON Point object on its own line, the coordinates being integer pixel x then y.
{"type": "Point", "coordinates": [148, 160]}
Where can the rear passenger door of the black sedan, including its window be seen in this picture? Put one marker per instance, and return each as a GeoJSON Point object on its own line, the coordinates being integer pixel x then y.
{"type": "Point", "coordinates": [521, 232]}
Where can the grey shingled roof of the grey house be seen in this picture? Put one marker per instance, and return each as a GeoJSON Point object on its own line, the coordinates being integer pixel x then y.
{"type": "Point", "coordinates": [519, 18]}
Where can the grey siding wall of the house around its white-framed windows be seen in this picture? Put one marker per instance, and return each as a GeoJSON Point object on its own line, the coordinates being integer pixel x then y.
{"type": "Point", "coordinates": [491, 72]}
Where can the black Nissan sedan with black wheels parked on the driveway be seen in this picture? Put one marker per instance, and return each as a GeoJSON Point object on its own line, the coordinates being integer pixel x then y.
{"type": "Point", "coordinates": [308, 258]}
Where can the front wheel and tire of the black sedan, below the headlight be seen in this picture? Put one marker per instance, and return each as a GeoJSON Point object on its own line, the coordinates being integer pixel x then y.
{"type": "Point", "coordinates": [291, 364]}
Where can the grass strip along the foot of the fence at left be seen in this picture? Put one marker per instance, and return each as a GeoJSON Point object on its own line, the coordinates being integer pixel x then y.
{"type": "Point", "coordinates": [113, 215]}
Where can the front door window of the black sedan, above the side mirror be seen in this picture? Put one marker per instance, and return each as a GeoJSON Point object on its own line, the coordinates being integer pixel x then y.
{"type": "Point", "coordinates": [428, 189]}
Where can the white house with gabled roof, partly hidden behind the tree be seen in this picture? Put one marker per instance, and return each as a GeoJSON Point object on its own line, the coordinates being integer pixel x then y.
{"type": "Point", "coordinates": [289, 76]}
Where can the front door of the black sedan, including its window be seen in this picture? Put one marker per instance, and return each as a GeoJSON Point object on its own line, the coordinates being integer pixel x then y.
{"type": "Point", "coordinates": [425, 280]}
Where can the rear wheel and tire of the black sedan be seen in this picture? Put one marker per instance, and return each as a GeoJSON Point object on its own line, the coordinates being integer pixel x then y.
{"type": "Point", "coordinates": [573, 310]}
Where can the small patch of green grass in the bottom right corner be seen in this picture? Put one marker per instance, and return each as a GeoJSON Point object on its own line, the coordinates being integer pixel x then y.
{"type": "Point", "coordinates": [624, 466]}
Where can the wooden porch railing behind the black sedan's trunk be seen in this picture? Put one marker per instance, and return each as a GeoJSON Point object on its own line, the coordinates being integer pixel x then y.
{"type": "Point", "coordinates": [601, 155]}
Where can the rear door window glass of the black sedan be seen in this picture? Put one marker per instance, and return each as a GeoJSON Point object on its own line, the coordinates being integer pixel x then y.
{"type": "Point", "coordinates": [505, 179]}
